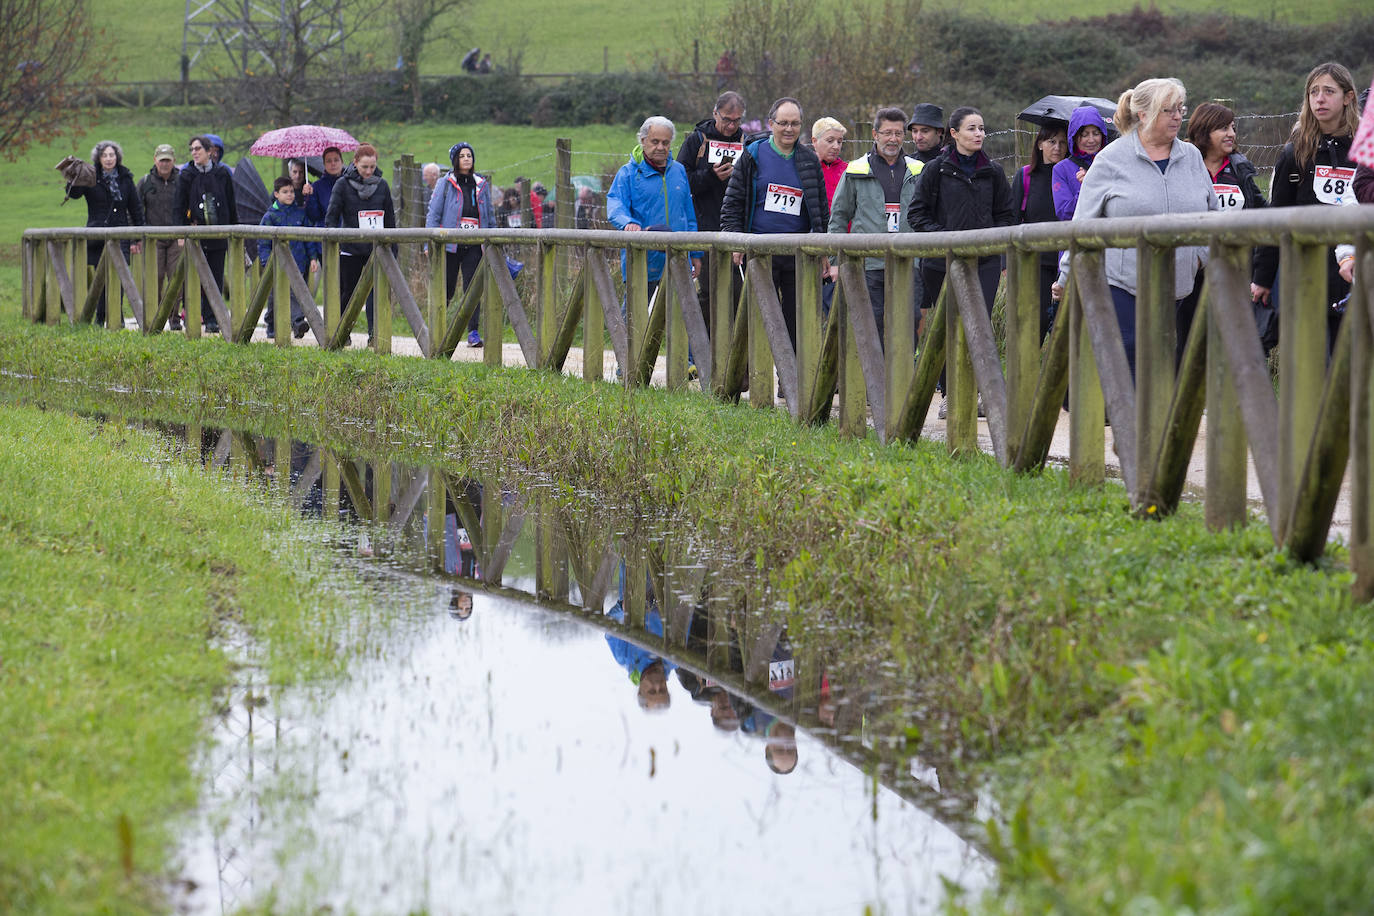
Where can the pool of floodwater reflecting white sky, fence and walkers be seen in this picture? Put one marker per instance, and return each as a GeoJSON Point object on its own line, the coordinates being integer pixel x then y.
{"type": "Point", "coordinates": [649, 738]}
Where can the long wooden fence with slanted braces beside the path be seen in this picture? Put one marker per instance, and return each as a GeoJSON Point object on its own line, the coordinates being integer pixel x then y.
{"type": "Point", "coordinates": [1300, 440]}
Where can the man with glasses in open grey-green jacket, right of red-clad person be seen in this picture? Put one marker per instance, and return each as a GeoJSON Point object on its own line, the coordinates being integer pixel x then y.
{"type": "Point", "coordinates": [873, 196]}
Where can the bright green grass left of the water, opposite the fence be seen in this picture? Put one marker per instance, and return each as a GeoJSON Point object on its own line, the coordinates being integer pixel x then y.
{"type": "Point", "coordinates": [117, 576]}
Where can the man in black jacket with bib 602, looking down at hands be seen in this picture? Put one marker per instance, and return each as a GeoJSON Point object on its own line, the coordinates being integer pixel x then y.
{"type": "Point", "coordinates": [710, 154]}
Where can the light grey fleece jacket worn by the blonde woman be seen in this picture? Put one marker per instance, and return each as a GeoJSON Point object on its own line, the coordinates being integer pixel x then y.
{"type": "Point", "coordinates": [1125, 182]}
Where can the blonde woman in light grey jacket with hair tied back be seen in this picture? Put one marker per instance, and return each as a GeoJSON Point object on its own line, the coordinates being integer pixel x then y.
{"type": "Point", "coordinates": [1148, 172]}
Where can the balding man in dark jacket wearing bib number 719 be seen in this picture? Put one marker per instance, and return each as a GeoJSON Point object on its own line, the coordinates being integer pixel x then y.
{"type": "Point", "coordinates": [778, 189]}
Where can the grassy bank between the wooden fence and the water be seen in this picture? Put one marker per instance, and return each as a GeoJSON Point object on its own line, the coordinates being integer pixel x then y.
{"type": "Point", "coordinates": [1170, 719]}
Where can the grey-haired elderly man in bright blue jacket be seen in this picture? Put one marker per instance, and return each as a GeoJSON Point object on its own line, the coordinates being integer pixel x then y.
{"type": "Point", "coordinates": [652, 193]}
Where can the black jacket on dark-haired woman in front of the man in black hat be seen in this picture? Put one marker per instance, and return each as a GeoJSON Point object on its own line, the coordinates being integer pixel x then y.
{"type": "Point", "coordinates": [950, 201]}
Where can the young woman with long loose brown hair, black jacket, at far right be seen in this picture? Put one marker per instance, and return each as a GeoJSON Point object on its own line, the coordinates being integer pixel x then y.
{"type": "Point", "coordinates": [1316, 168]}
